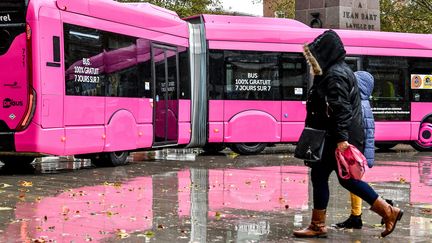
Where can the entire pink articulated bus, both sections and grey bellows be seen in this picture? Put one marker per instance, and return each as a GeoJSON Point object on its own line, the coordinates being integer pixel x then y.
{"type": "Point", "coordinates": [97, 79]}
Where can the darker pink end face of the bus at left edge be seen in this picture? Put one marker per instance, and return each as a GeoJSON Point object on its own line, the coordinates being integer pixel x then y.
{"type": "Point", "coordinates": [14, 88]}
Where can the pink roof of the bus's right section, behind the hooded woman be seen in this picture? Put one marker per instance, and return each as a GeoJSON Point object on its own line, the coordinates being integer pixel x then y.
{"type": "Point", "coordinates": [288, 31]}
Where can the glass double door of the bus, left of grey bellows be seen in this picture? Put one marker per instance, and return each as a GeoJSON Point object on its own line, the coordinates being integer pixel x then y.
{"type": "Point", "coordinates": [165, 96]}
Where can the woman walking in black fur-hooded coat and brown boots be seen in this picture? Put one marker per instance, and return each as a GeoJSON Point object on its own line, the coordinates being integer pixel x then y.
{"type": "Point", "coordinates": [334, 105]}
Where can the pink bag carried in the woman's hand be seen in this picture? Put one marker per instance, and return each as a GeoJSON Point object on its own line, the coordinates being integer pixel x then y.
{"type": "Point", "coordinates": [351, 163]}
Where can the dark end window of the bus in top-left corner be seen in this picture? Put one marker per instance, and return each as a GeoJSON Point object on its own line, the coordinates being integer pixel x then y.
{"type": "Point", "coordinates": [12, 22]}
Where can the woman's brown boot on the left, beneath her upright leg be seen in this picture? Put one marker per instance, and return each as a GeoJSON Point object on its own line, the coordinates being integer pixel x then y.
{"type": "Point", "coordinates": [316, 228]}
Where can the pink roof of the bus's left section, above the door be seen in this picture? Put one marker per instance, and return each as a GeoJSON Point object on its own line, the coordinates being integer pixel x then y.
{"type": "Point", "coordinates": [142, 15]}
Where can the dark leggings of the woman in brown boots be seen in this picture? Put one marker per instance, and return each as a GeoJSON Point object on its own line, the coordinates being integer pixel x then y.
{"type": "Point", "coordinates": [320, 176]}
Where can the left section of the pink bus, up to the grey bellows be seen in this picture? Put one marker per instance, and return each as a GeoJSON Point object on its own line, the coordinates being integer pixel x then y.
{"type": "Point", "coordinates": [91, 78]}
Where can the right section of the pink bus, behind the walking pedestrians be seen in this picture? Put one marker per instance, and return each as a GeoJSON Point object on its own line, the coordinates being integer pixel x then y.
{"type": "Point", "coordinates": [257, 81]}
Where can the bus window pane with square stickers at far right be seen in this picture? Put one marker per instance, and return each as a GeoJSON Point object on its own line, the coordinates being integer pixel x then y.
{"type": "Point", "coordinates": [421, 68]}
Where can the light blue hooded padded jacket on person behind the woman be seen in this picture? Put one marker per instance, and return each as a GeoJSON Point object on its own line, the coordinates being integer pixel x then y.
{"type": "Point", "coordinates": [365, 82]}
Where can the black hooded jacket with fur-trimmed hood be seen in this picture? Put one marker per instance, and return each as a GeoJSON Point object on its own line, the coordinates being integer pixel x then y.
{"type": "Point", "coordinates": [333, 101]}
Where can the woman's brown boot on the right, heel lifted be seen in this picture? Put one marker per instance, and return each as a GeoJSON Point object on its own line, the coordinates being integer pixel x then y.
{"type": "Point", "coordinates": [389, 213]}
